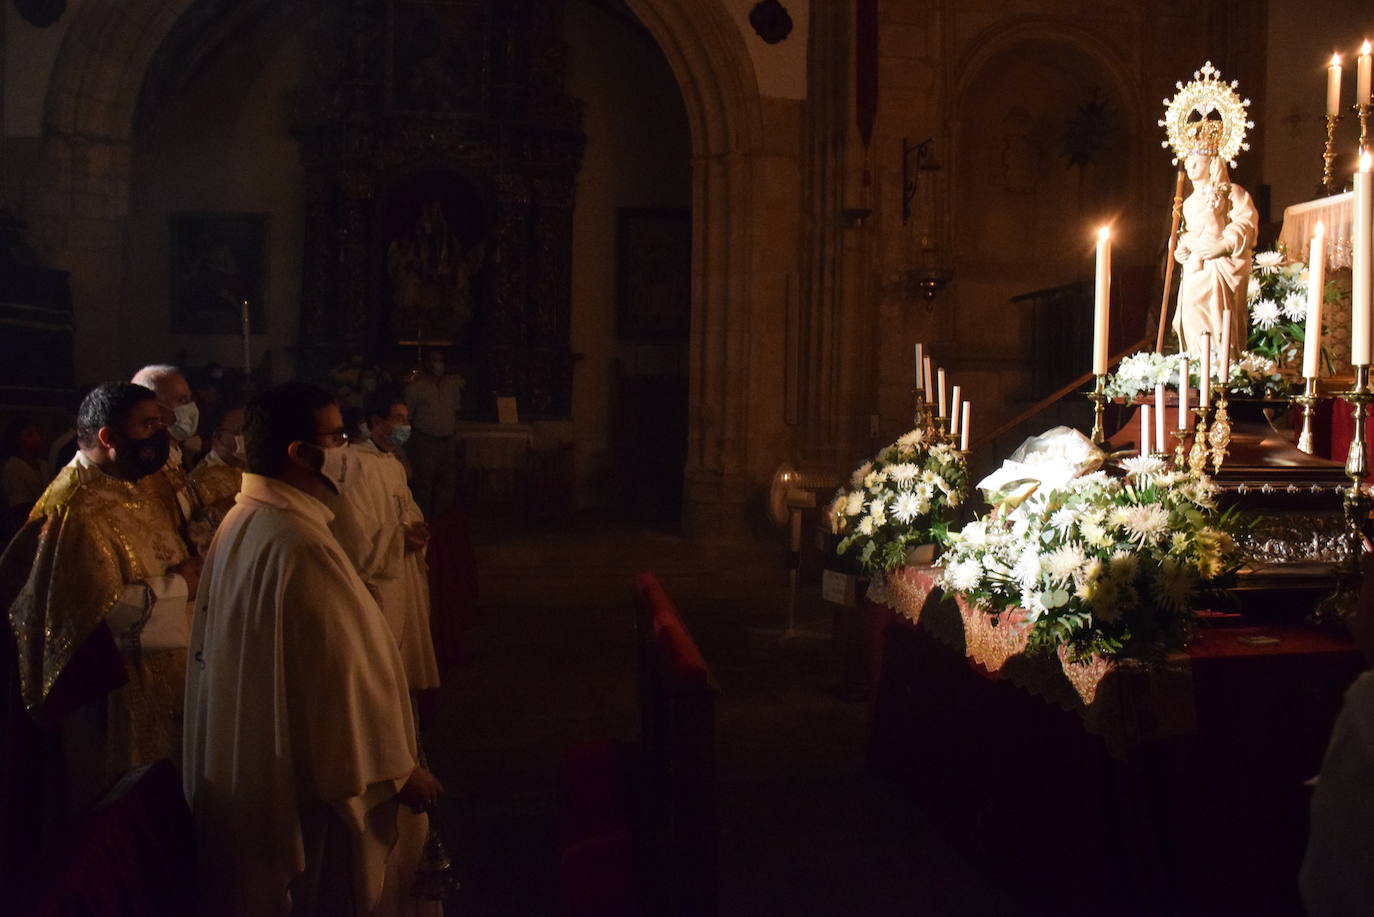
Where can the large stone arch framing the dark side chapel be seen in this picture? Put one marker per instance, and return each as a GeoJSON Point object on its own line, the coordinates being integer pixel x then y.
{"type": "Point", "coordinates": [80, 196]}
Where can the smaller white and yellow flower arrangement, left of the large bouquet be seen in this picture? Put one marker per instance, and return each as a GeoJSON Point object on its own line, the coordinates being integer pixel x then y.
{"type": "Point", "coordinates": [901, 500]}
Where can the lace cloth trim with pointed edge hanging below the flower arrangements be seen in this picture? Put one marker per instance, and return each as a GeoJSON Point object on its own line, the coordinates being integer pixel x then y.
{"type": "Point", "coordinates": [1125, 703]}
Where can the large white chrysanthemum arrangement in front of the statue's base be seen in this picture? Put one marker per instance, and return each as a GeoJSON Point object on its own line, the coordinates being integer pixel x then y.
{"type": "Point", "coordinates": [1107, 567]}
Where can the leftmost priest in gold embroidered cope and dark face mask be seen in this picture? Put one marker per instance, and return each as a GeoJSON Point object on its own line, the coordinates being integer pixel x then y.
{"type": "Point", "coordinates": [95, 589]}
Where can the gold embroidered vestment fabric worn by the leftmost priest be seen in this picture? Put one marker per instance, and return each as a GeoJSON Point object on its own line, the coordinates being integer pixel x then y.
{"type": "Point", "coordinates": [89, 537]}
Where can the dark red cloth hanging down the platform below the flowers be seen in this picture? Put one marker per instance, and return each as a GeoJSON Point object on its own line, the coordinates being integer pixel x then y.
{"type": "Point", "coordinates": [1204, 821]}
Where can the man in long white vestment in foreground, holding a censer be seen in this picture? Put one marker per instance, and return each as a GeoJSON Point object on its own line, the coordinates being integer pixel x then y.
{"type": "Point", "coordinates": [300, 746]}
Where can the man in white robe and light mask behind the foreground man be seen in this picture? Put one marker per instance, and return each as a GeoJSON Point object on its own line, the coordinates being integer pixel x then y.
{"type": "Point", "coordinates": [383, 531]}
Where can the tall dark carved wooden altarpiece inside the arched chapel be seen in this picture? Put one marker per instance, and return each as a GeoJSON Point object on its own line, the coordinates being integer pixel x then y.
{"type": "Point", "coordinates": [442, 153]}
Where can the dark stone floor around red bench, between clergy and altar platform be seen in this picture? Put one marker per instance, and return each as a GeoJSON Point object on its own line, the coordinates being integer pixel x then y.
{"type": "Point", "coordinates": [804, 831]}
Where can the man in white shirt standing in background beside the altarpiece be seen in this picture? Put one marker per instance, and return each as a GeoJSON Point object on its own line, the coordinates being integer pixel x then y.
{"type": "Point", "coordinates": [433, 399]}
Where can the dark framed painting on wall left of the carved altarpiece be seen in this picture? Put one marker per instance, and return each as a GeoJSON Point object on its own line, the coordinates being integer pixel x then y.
{"type": "Point", "coordinates": [219, 261]}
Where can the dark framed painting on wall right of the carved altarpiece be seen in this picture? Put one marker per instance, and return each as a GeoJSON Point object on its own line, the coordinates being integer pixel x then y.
{"type": "Point", "coordinates": [655, 273]}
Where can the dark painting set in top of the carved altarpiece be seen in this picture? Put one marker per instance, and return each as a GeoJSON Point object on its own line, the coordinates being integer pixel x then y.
{"type": "Point", "coordinates": [436, 61]}
